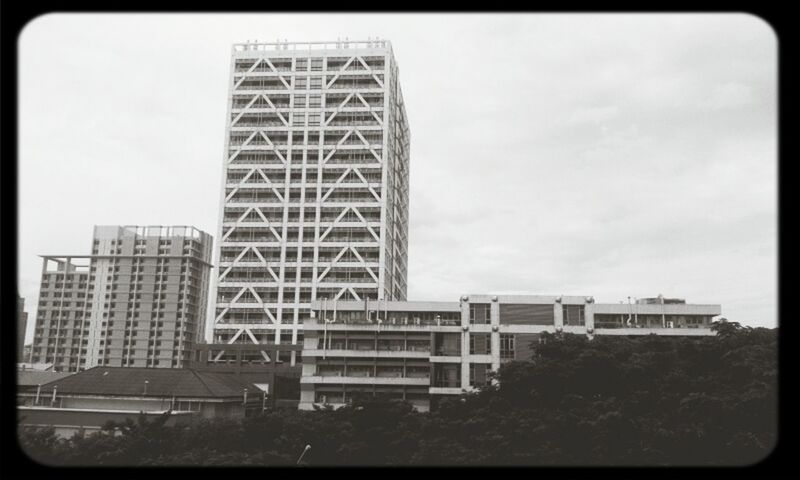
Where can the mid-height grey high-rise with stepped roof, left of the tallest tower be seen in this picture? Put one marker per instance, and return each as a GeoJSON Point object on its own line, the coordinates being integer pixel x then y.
{"type": "Point", "coordinates": [139, 300]}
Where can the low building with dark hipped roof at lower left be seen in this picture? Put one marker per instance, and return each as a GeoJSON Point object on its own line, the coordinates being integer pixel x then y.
{"type": "Point", "coordinates": [85, 401]}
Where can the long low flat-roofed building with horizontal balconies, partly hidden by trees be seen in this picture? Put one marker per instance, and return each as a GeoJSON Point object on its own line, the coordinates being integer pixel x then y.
{"type": "Point", "coordinates": [419, 351]}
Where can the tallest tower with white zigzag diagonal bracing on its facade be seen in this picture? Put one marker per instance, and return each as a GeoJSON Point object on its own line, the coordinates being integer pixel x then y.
{"type": "Point", "coordinates": [315, 186]}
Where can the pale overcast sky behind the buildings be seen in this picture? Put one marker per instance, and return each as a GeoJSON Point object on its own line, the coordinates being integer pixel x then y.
{"type": "Point", "coordinates": [606, 155]}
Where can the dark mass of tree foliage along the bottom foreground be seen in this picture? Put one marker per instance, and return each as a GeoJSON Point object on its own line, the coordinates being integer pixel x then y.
{"type": "Point", "coordinates": [607, 401]}
